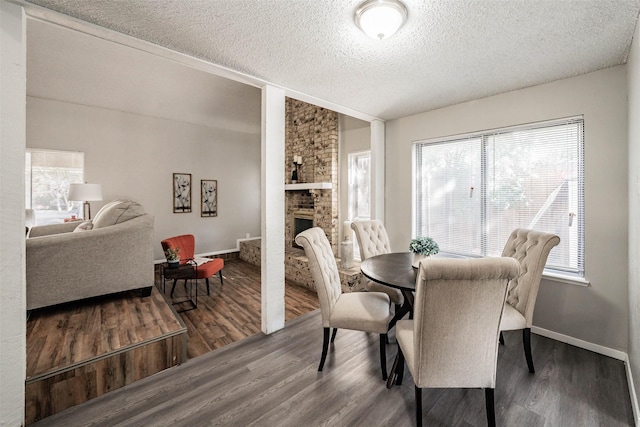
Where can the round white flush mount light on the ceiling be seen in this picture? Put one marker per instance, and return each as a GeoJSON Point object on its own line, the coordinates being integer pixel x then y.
{"type": "Point", "coordinates": [380, 19]}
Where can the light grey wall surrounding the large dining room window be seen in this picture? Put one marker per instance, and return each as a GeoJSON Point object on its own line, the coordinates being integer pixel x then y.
{"type": "Point", "coordinates": [596, 314]}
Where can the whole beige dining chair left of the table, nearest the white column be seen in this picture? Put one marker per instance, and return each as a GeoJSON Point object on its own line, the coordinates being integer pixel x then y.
{"type": "Point", "coordinates": [361, 311]}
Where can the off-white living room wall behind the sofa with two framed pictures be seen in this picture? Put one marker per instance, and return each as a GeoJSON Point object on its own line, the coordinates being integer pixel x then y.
{"type": "Point", "coordinates": [134, 156]}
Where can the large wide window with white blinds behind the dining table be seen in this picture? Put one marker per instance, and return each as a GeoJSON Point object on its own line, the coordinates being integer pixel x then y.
{"type": "Point", "coordinates": [471, 191]}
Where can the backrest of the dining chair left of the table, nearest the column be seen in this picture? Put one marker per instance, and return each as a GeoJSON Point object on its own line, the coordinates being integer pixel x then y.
{"type": "Point", "coordinates": [324, 269]}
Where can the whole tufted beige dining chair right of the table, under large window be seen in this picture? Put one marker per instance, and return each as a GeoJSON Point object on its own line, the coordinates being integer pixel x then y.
{"type": "Point", "coordinates": [531, 249]}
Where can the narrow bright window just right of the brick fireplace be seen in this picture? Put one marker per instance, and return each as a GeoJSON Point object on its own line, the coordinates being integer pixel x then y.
{"type": "Point", "coordinates": [359, 176]}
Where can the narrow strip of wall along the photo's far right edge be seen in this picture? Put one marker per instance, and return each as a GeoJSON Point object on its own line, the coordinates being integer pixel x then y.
{"type": "Point", "coordinates": [633, 79]}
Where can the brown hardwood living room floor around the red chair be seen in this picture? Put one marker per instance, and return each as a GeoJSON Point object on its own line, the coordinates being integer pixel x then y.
{"type": "Point", "coordinates": [232, 311]}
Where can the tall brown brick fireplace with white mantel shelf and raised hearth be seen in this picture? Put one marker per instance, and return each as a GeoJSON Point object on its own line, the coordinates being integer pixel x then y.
{"type": "Point", "coordinates": [311, 135]}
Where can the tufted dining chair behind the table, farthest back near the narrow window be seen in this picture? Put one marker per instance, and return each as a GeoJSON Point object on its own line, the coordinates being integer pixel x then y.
{"type": "Point", "coordinates": [373, 240]}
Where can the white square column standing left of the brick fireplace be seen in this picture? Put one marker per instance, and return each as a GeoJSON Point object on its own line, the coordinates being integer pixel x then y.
{"type": "Point", "coordinates": [272, 208]}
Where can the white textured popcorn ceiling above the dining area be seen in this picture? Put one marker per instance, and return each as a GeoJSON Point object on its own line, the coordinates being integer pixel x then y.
{"type": "Point", "coordinates": [448, 52]}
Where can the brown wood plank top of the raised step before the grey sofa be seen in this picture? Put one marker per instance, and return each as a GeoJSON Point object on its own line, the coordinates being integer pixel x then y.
{"type": "Point", "coordinates": [69, 334]}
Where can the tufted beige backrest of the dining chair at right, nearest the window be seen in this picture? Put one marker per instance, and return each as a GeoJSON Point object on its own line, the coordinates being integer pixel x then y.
{"type": "Point", "coordinates": [531, 249]}
